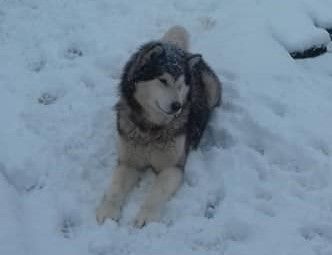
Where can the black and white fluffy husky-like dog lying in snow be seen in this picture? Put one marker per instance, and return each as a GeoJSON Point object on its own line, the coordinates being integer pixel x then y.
{"type": "Point", "coordinates": [167, 95]}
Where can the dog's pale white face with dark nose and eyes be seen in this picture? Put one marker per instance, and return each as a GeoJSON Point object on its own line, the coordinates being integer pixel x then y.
{"type": "Point", "coordinates": [163, 97]}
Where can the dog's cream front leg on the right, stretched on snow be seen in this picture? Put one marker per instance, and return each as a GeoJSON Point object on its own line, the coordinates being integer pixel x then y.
{"type": "Point", "coordinates": [167, 183]}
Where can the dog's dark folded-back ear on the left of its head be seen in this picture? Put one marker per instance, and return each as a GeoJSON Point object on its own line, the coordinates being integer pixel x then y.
{"type": "Point", "coordinates": [146, 54]}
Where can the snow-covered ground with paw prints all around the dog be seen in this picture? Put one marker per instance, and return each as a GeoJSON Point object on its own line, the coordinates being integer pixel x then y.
{"type": "Point", "coordinates": [261, 182]}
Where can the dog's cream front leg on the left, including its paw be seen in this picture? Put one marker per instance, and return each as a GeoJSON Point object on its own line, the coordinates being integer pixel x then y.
{"type": "Point", "coordinates": [123, 179]}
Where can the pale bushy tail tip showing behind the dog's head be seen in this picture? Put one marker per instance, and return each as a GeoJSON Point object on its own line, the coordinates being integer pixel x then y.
{"type": "Point", "coordinates": [177, 35]}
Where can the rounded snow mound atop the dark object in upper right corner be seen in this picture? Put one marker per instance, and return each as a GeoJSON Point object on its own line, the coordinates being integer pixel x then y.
{"type": "Point", "coordinates": [304, 29]}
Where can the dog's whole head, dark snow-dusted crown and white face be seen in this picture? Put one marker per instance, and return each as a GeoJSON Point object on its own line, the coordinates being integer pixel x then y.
{"type": "Point", "coordinates": [155, 82]}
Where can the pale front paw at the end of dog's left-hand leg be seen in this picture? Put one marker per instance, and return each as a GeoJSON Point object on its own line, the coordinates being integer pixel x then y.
{"type": "Point", "coordinates": [108, 210]}
